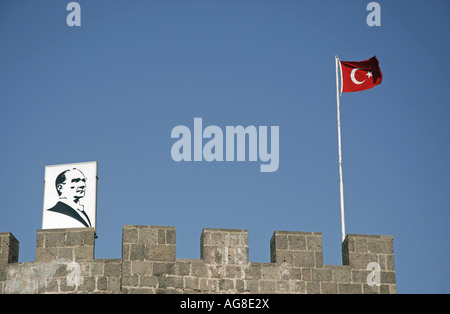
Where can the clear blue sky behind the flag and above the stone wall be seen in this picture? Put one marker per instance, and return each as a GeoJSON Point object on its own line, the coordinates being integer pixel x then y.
{"type": "Point", "coordinates": [113, 89]}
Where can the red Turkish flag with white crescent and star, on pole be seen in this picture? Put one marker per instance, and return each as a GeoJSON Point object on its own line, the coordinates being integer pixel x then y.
{"type": "Point", "coordinates": [360, 75]}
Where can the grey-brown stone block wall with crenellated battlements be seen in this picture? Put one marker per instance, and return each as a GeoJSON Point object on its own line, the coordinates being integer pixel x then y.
{"type": "Point", "coordinates": [65, 263]}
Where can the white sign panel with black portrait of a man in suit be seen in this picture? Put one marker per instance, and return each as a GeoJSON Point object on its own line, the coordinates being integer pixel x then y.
{"type": "Point", "coordinates": [70, 196]}
